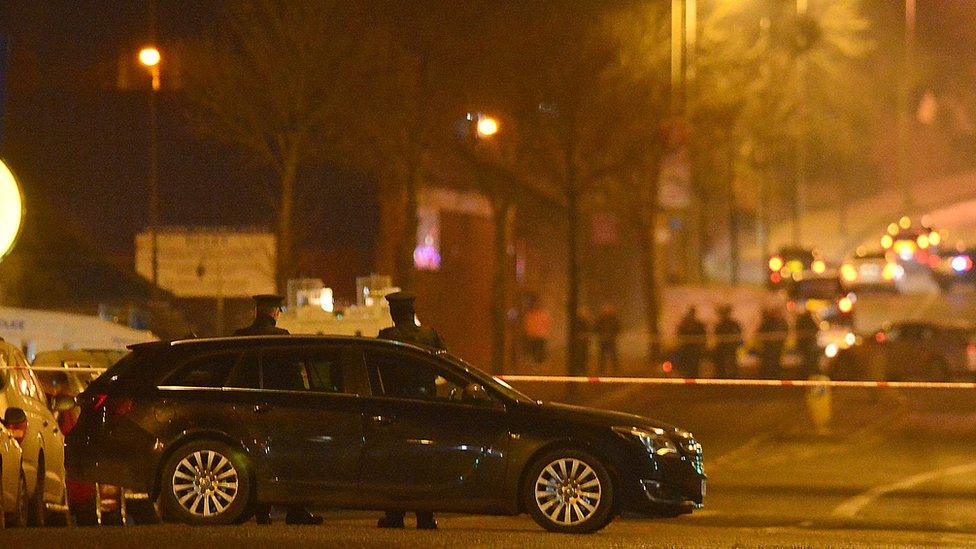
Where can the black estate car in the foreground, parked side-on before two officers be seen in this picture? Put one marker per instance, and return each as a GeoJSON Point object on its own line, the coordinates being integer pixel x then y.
{"type": "Point", "coordinates": [211, 426]}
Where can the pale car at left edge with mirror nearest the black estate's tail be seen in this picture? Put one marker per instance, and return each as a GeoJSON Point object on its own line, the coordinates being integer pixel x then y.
{"type": "Point", "coordinates": [24, 409]}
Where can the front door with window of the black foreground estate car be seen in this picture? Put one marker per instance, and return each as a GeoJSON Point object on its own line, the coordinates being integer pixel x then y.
{"type": "Point", "coordinates": [424, 444]}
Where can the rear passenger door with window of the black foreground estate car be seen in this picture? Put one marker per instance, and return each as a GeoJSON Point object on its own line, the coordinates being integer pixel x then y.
{"type": "Point", "coordinates": [310, 413]}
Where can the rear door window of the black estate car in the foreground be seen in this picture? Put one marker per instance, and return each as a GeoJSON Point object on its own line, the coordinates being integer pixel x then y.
{"type": "Point", "coordinates": [312, 370]}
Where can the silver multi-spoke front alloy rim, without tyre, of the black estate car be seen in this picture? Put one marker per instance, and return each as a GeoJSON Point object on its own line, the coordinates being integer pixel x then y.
{"type": "Point", "coordinates": [568, 491]}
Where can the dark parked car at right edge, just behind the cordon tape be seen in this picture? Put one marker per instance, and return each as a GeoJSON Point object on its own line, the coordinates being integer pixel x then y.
{"type": "Point", "coordinates": [910, 351]}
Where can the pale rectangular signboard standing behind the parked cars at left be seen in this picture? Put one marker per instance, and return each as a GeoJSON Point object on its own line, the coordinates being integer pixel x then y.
{"type": "Point", "coordinates": [207, 262]}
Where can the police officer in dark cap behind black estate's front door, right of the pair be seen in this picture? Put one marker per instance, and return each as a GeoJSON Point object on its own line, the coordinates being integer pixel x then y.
{"type": "Point", "coordinates": [405, 329]}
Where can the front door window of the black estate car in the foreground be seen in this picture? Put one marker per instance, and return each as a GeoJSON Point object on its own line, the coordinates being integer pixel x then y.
{"type": "Point", "coordinates": [399, 375]}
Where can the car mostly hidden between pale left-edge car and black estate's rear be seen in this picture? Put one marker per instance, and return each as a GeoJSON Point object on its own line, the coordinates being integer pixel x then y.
{"type": "Point", "coordinates": [68, 373]}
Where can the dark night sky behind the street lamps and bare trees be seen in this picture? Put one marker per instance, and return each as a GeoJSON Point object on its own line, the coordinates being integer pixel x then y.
{"type": "Point", "coordinates": [79, 143]}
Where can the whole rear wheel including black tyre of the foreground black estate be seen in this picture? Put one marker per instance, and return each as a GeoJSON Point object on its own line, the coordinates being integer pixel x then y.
{"type": "Point", "coordinates": [205, 482]}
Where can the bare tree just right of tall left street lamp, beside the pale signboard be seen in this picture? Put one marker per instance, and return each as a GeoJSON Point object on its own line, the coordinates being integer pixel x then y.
{"type": "Point", "coordinates": [277, 81]}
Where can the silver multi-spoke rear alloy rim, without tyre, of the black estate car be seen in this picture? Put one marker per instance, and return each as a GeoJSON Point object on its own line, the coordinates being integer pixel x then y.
{"type": "Point", "coordinates": [205, 483]}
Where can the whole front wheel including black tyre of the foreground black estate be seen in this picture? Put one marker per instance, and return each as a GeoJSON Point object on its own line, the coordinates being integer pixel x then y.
{"type": "Point", "coordinates": [569, 491]}
